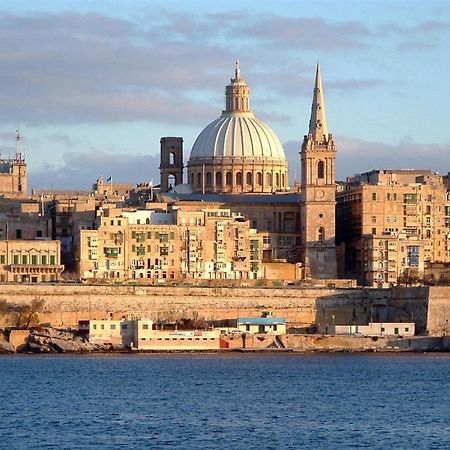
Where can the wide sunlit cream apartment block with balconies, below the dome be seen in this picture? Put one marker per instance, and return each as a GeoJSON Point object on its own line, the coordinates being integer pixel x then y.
{"type": "Point", "coordinates": [152, 246]}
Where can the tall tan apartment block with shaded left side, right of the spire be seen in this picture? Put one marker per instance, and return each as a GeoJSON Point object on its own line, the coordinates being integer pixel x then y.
{"type": "Point", "coordinates": [391, 223]}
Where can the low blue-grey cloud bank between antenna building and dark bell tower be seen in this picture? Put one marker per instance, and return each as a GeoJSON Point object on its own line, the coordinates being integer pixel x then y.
{"type": "Point", "coordinates": [80, 170]}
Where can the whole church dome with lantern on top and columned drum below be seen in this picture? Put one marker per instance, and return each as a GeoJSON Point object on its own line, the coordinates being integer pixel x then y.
{"type": "Point", "coordinates": [237, 152]}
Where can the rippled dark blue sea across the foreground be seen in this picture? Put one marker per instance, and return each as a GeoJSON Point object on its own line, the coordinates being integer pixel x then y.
{"type": "Point", "coordinates": [198, 401]}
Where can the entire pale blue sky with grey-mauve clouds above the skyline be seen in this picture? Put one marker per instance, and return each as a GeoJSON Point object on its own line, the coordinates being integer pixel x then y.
{"type": "Point", "coordinates": [95, 85]}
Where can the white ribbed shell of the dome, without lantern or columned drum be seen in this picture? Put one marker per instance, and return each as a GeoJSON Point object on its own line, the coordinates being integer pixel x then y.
{"type": "Point", "coordinates": [237, 135]}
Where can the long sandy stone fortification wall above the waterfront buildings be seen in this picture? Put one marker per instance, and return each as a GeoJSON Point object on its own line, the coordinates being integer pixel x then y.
{"type": "Point", "coordinates": [429, 308]}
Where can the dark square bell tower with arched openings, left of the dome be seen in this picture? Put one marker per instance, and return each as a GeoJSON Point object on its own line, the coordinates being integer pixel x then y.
{"type": "Point", "coordinates": [171, 168]}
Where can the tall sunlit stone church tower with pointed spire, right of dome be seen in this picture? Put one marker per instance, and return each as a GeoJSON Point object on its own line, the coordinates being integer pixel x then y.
{"type": "Point", "coordinates": [318, 187]}
